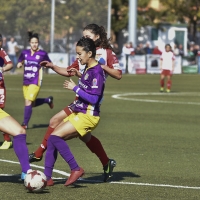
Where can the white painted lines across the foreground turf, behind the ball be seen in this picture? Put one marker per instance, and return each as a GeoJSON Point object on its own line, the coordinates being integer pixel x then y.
{"type": "Point", "coordinates": [97, 181]}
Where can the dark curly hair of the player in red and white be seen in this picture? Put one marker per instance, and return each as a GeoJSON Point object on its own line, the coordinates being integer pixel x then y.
{"type": "Point", "coordinates": [103, 41]}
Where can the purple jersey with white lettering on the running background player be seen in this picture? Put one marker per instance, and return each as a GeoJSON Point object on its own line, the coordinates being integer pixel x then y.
{"type": "Point", "coordinates": [33, 72]}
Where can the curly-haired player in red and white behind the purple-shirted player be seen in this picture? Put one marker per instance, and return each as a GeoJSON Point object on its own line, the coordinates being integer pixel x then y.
{"type": "Point", "coordinates": [110, 64]}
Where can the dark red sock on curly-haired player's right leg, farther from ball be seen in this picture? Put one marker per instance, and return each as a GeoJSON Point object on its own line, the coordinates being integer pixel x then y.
{"type": "Point", "coordinates": [96, 147]}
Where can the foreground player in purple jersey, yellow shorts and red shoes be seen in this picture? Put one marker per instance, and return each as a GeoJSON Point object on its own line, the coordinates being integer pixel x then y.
{"type": "Point", "coordinates": [85, 116]}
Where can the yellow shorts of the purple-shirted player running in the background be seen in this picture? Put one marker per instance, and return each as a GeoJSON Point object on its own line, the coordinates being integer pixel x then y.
{"type": "Point", "coordinates": [31, 92]}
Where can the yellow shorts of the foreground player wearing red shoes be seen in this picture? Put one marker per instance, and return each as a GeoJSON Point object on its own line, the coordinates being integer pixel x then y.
{"type": "Point", "coordinates": [83, 123]}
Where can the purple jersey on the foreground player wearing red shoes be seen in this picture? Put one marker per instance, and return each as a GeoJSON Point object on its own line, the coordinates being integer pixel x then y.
{"type": "Point", "coordinates": [92, 82]}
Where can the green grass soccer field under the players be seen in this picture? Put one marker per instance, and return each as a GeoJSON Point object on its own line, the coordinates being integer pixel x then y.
{"type": "Point", "coordinates": [154, 137]}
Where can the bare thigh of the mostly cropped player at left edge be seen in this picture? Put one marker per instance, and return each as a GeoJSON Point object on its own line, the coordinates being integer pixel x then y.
{"type": "Point", "coordinates": [9, 125]}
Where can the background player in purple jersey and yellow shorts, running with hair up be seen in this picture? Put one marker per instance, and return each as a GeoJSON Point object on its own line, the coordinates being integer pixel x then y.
{"type": "Point", "coordinates": [33, 72]}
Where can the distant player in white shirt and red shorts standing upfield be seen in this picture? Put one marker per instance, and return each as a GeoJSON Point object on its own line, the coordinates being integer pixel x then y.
{"type": "Point", "coordinates": [167, 67]}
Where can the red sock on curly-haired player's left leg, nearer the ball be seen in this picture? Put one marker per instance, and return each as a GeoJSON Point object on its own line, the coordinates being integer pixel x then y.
{"type": "Point", "coordinates": [42, 148]}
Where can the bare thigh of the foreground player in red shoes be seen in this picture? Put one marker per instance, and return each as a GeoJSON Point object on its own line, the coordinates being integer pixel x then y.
{"type": "Point", "coordinates": [65, 130]}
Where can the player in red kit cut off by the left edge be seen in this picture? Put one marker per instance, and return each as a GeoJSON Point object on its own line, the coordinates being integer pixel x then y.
{"type": "Point", "coordinates": [5, 65]}
